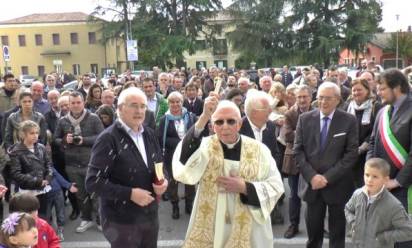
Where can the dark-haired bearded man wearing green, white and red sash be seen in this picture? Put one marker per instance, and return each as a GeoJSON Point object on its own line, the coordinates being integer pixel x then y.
{"type": "Point", "coordinates": [394, 90]}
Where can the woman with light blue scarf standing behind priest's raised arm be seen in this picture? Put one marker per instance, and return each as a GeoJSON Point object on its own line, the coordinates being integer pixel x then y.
{"type": "Point", "coordinates": [172, 128]}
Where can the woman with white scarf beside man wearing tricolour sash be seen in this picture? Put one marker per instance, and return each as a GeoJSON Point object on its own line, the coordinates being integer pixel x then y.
{"type": "Point", "coordinates": [362, 105]}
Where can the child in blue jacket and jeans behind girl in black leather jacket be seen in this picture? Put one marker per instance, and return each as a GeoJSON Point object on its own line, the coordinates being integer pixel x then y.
{"type": "Point", "coordinates": [55, 198]}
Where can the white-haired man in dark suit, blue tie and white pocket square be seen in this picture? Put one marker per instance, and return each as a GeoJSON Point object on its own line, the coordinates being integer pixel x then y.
{"type": "Point", "coordinates": [326, 149]}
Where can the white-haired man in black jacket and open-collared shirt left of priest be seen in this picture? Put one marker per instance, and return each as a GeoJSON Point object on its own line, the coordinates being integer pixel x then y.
{"type": "Point", "coordinates": [121, 171]}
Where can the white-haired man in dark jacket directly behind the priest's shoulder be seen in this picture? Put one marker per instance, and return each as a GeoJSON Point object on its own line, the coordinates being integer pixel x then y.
{"type": "Point", "coordinates": [256, 125]}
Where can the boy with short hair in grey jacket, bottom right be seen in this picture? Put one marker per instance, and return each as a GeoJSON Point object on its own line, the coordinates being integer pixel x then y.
{"type": "Point", "coordinates": [375, 217]}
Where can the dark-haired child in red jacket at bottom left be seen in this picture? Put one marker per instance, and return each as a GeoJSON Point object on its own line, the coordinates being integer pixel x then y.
{"type": "Point", "coordinates": [28, 203]}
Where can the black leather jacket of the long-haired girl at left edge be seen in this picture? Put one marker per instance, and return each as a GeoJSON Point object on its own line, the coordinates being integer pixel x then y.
{"type": "Point", "coordinates": [30, 169]}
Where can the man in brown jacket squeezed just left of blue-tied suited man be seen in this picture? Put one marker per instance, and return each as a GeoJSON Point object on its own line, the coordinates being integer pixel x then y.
{"type": "Point", "coordinates": [289, 167]}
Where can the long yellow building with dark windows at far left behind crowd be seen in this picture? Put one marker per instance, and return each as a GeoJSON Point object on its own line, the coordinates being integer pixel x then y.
{"type": "Point", "coordinates": [62, 42]}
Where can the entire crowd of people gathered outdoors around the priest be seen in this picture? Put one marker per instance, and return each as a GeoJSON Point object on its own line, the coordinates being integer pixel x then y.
{"type": "Point", "coordinates": [230, 139]}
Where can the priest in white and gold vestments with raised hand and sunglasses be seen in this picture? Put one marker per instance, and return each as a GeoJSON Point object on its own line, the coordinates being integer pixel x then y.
{"type": "Point", "coordinates": [239, 183]}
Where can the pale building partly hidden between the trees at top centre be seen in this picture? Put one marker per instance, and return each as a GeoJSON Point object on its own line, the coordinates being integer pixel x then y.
{"type": "Point", "coordinates": [220, 53]}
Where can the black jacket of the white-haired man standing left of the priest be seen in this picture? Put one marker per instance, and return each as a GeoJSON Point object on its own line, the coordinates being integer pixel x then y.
{"type": "Point", "coordinates": [116, 166]}
